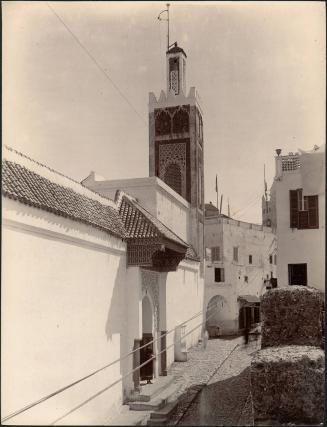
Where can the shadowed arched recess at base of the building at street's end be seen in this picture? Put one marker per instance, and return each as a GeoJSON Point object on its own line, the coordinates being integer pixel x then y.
{"type": "Point", "coordinates": [216, 316]}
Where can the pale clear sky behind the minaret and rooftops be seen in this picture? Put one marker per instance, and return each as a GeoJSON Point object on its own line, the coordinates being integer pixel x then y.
{"type": "Point", "coordinates": [259, 68]}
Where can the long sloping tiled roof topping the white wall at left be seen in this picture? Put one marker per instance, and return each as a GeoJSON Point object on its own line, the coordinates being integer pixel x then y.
{"type": "Point", "coordinates": [25, 185]}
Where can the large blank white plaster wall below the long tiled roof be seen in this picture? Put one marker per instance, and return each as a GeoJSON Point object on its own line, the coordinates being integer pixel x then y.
{"type": "Point", "coordinates": [63, 317]}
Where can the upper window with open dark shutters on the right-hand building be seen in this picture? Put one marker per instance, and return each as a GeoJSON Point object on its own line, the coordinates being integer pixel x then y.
{"type": "Point", "coordinates": [303, 210]}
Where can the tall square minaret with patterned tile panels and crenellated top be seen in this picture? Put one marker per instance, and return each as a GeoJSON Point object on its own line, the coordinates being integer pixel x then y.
{"type": "Point", "coordinates": [176, 141]}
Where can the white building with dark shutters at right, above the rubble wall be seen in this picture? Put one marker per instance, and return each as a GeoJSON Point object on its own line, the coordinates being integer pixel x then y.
{"type": "Point", "coordinates": [298, 214]}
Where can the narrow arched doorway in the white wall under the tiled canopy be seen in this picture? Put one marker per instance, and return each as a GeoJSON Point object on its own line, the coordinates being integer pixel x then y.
{"type": "Point", "coordinates": [146, 353]}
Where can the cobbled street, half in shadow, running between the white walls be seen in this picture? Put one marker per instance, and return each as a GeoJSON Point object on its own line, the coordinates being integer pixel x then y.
{"type": "Point", "coordinates": [218, 393]}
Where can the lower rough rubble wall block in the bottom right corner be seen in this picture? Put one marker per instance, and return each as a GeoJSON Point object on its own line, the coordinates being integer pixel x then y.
{"type": "Point", "coordinates": [287, 384]}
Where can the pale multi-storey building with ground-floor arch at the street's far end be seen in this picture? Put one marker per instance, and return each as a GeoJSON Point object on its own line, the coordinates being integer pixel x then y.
{"type": "Point", "coordinates": [240, 265]}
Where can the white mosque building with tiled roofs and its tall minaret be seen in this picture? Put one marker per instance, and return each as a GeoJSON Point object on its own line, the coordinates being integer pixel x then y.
{"type": "Point", "coordinates": [88, 278]}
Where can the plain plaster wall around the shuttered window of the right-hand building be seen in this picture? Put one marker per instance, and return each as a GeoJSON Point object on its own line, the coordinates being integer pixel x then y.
{"type": "Point", "coordinates": [298, 246]}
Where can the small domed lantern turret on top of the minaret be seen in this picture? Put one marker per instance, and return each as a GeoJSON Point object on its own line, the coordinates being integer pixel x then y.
{"type": "Point", "coordinates": [176, 70]}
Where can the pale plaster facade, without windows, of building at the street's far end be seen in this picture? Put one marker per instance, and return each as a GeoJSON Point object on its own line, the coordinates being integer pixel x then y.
{"type": "Point", "coordinates": [241, 277]}
